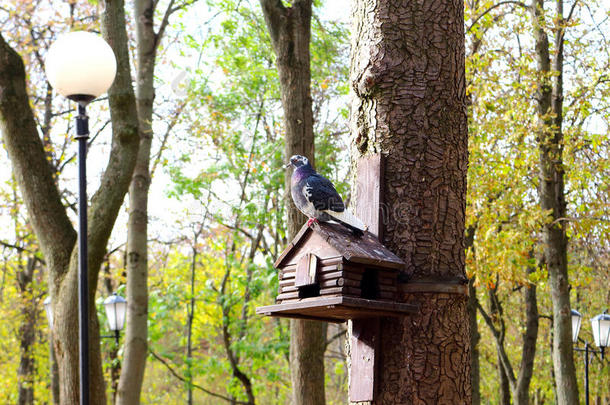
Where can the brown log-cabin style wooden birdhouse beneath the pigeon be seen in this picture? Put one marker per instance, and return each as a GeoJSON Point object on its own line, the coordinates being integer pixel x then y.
{"type": "Point", "coordinates": [329, 274]}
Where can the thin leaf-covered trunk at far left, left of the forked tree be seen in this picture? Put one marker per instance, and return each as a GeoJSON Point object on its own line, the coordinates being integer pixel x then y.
{"type": "Point", "coordinates": [27, 333]}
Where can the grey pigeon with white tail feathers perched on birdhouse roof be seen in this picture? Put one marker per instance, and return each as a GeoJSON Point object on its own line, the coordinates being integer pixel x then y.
{"type": "Point", "coordinates": [315, 196]}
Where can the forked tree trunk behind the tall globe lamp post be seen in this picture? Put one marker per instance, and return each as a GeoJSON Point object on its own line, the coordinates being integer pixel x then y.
{"type": "Point", "coordinates": [53, 229]}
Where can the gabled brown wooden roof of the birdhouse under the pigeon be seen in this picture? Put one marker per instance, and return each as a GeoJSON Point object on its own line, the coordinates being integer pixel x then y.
{"type": "Point", "coordinates": [365, 249]}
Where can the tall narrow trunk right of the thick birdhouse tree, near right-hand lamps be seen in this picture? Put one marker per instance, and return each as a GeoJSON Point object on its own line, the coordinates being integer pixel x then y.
{"type": "Point", "coordinates": [552, 199]}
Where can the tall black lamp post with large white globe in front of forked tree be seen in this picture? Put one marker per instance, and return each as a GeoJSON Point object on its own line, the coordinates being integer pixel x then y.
{"type": "Point", "coordinates": [81, 66]}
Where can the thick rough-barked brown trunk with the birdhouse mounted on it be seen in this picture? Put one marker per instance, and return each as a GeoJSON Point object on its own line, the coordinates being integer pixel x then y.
{"type": "Point", "coordinates": [409, 82]}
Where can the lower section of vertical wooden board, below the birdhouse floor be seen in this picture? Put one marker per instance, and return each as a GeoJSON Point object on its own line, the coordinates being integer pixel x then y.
{"type": "Point", "coordinates": [364, 359]}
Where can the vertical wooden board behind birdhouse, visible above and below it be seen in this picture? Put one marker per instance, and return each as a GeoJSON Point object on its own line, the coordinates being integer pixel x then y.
{"type": "Point", "coordinates": [365, 332]}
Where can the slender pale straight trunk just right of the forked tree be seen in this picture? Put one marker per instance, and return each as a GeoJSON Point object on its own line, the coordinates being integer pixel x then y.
{"type": "Point", "coordinates": [136, 329]}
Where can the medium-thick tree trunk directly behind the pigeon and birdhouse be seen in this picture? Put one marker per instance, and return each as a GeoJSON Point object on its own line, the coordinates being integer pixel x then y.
{"type": "Point", "coordinates": [290, 31]}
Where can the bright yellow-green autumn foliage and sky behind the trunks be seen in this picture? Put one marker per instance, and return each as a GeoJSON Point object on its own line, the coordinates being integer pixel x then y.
{"type": "Point", "coordinates": [216, 212]}
